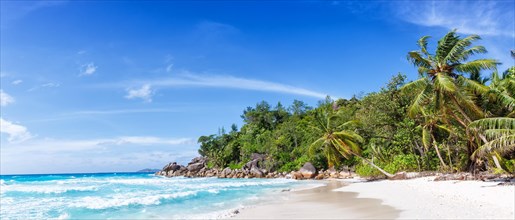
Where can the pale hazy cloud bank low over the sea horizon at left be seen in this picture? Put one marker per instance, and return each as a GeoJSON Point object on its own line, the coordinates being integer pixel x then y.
{"type": "Point", "coordinates": [128, 153]}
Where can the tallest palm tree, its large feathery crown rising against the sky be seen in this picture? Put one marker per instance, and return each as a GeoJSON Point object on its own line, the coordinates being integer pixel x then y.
{"type": "Point", "coordinates": [443, 88]}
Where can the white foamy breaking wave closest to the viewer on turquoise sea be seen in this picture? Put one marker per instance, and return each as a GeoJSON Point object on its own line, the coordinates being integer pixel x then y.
{"type": "Point", "coordinates": [116, 201]}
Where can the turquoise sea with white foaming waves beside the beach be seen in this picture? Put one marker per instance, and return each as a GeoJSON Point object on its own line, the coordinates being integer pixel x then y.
{"type": "Point", "coordinates": [130, 196]}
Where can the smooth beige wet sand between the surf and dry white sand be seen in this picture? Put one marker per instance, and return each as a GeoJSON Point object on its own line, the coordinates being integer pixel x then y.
{"type": "Point", "coordinates": [320, 203]}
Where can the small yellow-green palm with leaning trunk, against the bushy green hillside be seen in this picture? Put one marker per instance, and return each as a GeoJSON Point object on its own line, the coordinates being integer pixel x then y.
{"type": "Point", "coordinates": [336, 141]}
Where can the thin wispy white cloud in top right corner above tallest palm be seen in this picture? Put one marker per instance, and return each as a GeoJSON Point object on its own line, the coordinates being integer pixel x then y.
{"type": "Point", "coordinates": [493, 18]}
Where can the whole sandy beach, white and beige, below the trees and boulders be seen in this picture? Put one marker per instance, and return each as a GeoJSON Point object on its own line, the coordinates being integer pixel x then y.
{"type": "Point", "coordinates": [419, 198]}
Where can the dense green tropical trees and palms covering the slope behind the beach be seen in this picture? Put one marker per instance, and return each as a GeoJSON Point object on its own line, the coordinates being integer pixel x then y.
{"type": "Point", "coordinates": [450, 119]}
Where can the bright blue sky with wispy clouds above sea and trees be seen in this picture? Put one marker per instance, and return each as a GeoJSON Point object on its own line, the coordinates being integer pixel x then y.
{"type": "Point", "coordinates": [94, 86]}
